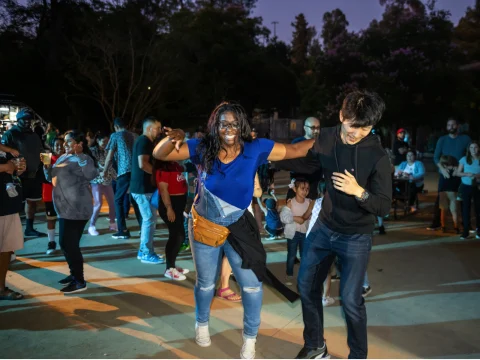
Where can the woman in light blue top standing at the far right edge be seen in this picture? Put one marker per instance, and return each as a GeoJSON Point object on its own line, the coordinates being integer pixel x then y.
{"type": "Point", "coordinates": [469, 170]}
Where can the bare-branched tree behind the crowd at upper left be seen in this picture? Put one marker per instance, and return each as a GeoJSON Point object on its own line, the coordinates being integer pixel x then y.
{"type": "Point", "coordinates": [120, 62]}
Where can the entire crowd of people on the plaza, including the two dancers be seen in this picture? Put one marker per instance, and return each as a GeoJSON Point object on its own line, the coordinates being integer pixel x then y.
{"type": "Point", "coordinates": [342, 182]}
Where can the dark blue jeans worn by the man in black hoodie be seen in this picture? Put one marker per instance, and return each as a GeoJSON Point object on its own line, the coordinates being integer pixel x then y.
{"type": "Point", "coordinates": [320, 248]}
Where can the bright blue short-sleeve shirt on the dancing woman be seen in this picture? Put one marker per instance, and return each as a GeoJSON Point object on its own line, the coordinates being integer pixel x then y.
{"type": "Point", "coordinates": [235, 181]}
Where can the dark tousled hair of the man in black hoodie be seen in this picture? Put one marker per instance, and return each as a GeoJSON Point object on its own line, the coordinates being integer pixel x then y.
{"type": "Point", "coordinates": [362, 108]}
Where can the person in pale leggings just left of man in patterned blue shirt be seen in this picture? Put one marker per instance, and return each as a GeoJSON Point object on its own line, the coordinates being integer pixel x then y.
{"type": "Point", "coordinates": [102, 184]}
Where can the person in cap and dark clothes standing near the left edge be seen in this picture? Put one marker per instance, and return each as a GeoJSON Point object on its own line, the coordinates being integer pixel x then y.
{"type": "Point", "coordinates": [29, 144]}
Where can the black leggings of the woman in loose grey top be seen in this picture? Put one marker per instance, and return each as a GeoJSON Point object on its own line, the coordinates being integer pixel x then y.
{"type": "Point", "coordinates": [71, 232]}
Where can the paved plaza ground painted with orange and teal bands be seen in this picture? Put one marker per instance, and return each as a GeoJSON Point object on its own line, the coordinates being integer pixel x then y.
{"type": "Point", "coordinates": [425, 302]}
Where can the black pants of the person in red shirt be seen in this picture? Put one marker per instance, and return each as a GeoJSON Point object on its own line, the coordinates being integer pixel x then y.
{"type": "Point", "coordinates": [176, 232]}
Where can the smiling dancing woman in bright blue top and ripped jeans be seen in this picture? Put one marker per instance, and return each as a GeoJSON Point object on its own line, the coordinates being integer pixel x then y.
{"type": "Point", "coordinates": [228, 159]}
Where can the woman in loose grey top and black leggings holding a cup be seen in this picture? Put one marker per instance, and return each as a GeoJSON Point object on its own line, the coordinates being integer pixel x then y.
{"type": "Point", "coordinates": [72, 199]}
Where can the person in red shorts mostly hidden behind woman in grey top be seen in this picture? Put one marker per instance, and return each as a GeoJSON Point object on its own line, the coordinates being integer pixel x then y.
{"type": "Point", "coordinates": [47, 189]}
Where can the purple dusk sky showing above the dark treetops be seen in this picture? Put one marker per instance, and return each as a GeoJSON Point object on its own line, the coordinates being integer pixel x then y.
{"type": "Point", "coordinates": [359, 13]}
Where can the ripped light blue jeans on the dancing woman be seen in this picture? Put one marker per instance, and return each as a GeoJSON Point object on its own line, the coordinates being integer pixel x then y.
{"type": "Point", "coordinates": [208, 262]}
